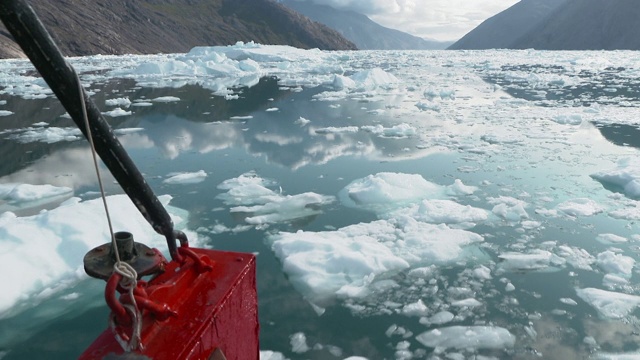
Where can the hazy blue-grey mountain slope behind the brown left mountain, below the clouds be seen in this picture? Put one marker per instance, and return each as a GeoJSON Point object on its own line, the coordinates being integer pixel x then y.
{"type": "Point", "coordinates": [362, 31]}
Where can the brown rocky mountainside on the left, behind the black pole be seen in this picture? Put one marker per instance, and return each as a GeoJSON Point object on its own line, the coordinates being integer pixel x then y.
{"type": "Point", "coordinates": [91, 27]}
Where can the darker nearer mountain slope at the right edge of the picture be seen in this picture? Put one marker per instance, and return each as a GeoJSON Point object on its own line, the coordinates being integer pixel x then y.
{"type": "Point", "coordinates": [587, 25]}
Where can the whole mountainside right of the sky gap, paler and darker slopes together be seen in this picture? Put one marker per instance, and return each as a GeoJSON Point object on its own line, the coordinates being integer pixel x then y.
{"type": "Point", "coordinates": [560, 25]}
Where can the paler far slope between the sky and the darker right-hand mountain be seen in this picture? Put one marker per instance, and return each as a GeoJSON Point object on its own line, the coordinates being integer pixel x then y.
{"type": "Point", "coordinates": [503, 30]}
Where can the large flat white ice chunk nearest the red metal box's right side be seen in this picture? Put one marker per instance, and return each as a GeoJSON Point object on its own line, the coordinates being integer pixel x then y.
{"type": "Point", "coordinates": [320, 264]}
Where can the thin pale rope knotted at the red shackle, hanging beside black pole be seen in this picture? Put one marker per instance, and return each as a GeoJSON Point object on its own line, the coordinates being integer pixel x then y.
{"type": "Point", "coordinates": [129, 275]}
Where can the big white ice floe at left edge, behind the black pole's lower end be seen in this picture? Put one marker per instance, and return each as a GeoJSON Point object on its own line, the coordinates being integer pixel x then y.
{"type": "Point", "coordinates": [47, 249]}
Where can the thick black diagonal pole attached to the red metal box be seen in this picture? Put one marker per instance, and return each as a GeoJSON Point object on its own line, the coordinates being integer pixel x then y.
{"type": "Point", "coordinates": [29, 32]}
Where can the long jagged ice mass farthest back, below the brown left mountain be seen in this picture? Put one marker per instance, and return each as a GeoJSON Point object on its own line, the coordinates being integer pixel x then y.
{"type": "Point", "coordinates": [223, 68]}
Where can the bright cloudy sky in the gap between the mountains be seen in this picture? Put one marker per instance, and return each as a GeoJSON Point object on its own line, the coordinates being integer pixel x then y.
{"type": "Point", "coordinates": [435, 19]}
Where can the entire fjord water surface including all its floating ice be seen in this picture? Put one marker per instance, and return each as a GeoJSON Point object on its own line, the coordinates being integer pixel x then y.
{"type": "Point", "coordinates": [402, 205]}
